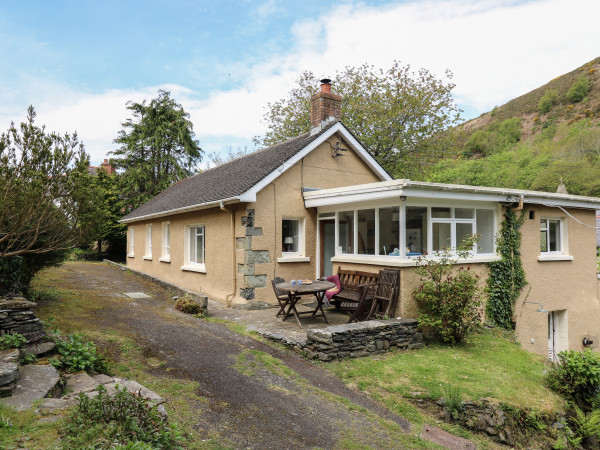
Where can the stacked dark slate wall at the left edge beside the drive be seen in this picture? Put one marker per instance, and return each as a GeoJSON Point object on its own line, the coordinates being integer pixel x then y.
{"type": "Point", "coordinates": [16, 316]}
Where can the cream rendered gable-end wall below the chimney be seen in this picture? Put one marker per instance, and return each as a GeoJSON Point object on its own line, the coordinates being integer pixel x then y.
{"type": "Point", "coordinates": [282, 199]}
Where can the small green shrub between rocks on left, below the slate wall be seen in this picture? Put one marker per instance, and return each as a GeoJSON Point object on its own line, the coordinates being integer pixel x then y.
{"type": "Point", "coordinates": [77, 354]}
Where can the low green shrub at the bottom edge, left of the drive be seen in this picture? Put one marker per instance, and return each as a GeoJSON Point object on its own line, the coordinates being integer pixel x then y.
{"type": "Point", "coordinates": [125, 420]}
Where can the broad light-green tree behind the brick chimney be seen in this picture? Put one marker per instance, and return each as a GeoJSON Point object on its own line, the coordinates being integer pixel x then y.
{"type": "Point", "coordinates": [402, 117]}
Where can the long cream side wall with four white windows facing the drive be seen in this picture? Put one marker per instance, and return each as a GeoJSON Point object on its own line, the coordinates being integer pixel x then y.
{"type": "Point", "coordinates": [217, 282]}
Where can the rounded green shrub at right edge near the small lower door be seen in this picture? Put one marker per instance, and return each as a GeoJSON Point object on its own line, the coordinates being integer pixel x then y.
{"type": "Point", "coordinates": [577, 376]}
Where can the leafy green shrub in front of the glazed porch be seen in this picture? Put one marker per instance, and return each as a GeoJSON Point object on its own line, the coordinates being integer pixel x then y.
{"type": "Point", "coordinates": [449, 300]}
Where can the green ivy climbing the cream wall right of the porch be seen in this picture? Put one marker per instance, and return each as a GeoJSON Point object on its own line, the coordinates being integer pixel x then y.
{"type": "Point", "coordinates": [507, 277]}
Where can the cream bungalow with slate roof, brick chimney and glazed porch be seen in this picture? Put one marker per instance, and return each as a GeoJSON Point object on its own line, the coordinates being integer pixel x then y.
{"type": "Point", "coordinates": [308, 205]}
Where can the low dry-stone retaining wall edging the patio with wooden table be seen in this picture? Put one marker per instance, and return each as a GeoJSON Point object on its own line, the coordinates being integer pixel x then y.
{"type": "Point", "coordinates": [357, 339]}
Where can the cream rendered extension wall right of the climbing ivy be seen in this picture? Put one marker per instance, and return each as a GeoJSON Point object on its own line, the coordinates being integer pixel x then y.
{"type": "Point", "coordinates": [559, 285]}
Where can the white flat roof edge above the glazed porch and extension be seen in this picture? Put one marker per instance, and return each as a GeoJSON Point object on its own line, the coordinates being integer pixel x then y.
{"type": "Point", "coordinates": [421, 189]}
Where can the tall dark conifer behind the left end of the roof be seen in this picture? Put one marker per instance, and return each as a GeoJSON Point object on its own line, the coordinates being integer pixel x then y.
{"type": "Point", "coordinates": [157, 148]}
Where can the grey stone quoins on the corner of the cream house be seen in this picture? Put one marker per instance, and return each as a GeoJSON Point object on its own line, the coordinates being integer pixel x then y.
{"type": "Point", "coordinates": [251, 258]}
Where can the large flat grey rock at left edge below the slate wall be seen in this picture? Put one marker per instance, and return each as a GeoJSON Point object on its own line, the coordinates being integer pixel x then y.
{"type": "Point", "coordinates": [35, 381]}
